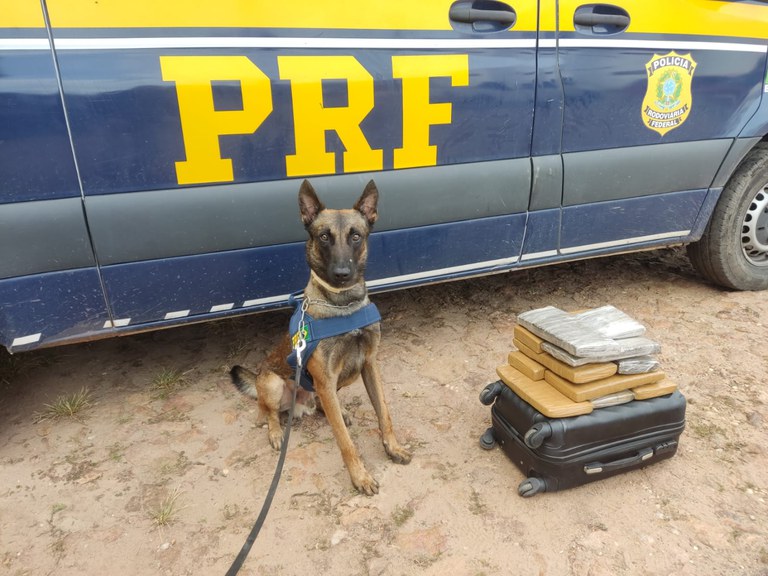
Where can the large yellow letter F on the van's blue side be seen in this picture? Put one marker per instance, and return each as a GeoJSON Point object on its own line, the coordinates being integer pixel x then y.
{"type": "Point", "coordinates": [418, 112]}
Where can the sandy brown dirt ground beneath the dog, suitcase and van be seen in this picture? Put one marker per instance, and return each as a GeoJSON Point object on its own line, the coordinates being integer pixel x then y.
{"type": "Point", "coordinates": [164, 471]}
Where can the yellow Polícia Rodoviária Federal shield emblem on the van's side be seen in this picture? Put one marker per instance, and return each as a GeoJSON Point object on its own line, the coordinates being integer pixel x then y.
{"type": "Point", "coordinates": [668, 98]}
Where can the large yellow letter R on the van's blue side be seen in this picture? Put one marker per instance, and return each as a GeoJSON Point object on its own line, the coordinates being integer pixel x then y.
{"type": "Point", "coordinates": [312, 119]}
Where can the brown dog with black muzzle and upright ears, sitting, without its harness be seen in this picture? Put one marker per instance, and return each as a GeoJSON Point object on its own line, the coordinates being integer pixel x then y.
{"type": "Point", "coordinates": [337, 251]}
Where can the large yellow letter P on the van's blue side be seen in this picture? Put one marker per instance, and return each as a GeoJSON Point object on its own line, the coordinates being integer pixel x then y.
{"type": "Point", "coordinates": [201, 123]}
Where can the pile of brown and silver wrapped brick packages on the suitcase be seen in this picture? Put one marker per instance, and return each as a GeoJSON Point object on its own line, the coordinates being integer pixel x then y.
{"type": "Point", "coordinates": [569, 364]}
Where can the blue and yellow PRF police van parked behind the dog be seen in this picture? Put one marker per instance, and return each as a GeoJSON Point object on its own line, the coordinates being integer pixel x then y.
{"type": "Point", "coordinates": [151, 152]}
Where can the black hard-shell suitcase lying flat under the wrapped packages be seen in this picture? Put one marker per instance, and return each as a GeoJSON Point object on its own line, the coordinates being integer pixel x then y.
{"type": "Point", "coordinates": [558, 453]}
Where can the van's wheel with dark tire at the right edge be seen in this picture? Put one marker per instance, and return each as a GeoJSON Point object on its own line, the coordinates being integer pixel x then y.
{"type": "Point", "coordinates": [733, 251]}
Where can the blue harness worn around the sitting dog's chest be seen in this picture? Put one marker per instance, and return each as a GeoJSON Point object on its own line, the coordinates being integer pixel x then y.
{"type": "Point", "coordinates": [313, 330]}
